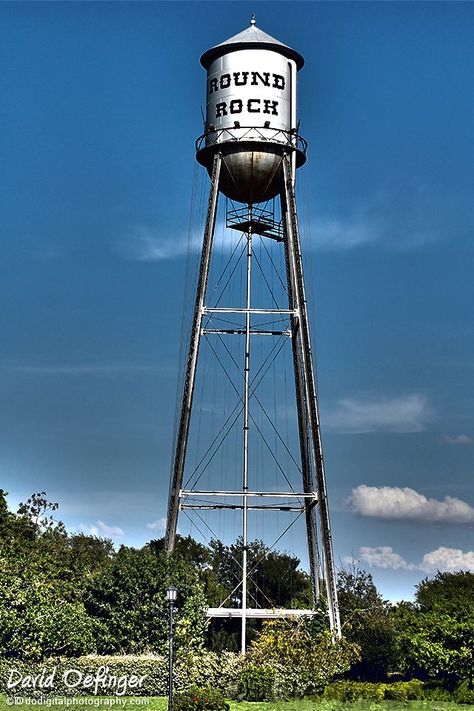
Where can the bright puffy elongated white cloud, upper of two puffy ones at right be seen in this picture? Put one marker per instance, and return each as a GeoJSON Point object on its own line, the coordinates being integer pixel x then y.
{"type": "Point", "coordinates": [403, 503]}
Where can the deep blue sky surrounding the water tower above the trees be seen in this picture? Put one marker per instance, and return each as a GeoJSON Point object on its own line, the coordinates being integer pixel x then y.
{"type": "Point", "coordinates": [100, 110]}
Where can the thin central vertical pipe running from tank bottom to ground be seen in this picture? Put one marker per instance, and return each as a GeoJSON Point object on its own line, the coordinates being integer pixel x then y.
{"type": "Point", "coordinates": [245, 482]}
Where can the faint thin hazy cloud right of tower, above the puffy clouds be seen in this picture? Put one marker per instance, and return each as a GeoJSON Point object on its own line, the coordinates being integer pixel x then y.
{"type": "Point", "coordinates": [403, 414]}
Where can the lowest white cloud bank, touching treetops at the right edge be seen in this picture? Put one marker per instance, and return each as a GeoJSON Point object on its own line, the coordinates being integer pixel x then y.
{"type": "Point", "coordinates": [446, 560]}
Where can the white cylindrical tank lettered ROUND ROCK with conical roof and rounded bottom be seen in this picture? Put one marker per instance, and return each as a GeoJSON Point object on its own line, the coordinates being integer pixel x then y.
{"type": "Point", "coordinates": [250, 113]}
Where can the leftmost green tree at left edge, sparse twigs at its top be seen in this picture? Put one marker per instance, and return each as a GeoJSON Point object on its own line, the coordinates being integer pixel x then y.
{"type": "Point", "coordinates": [40, 613]}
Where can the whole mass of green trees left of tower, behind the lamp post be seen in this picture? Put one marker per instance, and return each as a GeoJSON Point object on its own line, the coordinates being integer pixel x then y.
{"type": "Point", "coordinates": [73, 594]}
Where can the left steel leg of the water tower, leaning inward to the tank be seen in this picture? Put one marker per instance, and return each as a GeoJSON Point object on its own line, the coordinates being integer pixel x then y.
{"type": "Point", "coordinates": [190, 377]}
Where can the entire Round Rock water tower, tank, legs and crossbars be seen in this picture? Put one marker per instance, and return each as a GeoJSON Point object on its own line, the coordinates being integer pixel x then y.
{"type": "Point", "coordinates": [251, 149]}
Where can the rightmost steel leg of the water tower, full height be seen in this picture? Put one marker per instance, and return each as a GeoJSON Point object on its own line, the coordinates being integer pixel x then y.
{"type": "Point", "coordinates": [307, 387]}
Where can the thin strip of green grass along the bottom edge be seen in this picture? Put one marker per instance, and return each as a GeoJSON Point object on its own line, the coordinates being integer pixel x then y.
{"type": "Point", "coordinates": [161, 704]}
